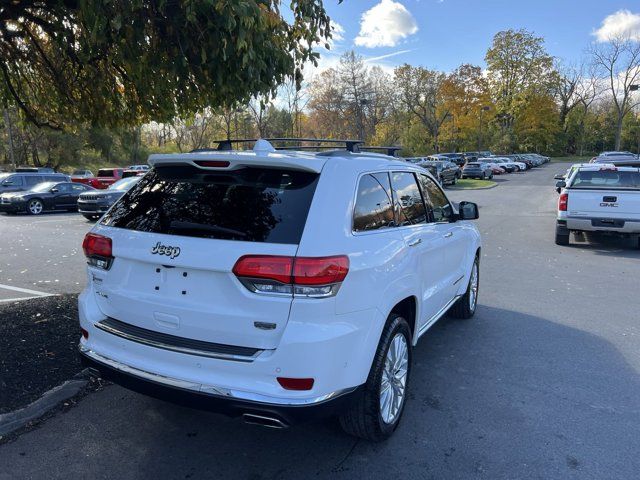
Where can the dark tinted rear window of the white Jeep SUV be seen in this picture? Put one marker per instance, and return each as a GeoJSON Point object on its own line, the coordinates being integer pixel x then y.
{"type": "Point", "coordinates": [250, 204]}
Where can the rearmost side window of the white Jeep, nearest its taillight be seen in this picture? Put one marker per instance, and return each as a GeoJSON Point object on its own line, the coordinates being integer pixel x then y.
{"type": "Point", "coordinates": [374, 209]}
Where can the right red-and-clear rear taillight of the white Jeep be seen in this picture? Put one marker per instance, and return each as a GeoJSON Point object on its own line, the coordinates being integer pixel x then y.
{"type": "Point", "coordinates": [305, 276]}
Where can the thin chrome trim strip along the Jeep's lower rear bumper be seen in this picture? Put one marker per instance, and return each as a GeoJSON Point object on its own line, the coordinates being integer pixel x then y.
{"type": "Point", "coordinates": [211, 389]}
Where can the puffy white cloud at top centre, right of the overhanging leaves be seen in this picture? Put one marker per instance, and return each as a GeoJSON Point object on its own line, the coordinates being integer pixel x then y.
{"type": "Point", "coordinates": [385, 24]}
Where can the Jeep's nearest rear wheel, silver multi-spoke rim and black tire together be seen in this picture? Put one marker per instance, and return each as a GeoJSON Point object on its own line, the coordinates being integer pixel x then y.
{"type": "Point", "coordinates": [376, 413]}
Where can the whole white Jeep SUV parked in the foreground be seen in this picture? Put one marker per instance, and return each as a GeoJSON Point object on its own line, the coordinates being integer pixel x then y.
{"type": "Point", "coordinates": [276, 285]}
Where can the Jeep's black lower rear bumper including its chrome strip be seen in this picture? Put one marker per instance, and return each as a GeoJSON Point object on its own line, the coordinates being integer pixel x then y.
{"type": "Point", "coordinates": [218, 399]}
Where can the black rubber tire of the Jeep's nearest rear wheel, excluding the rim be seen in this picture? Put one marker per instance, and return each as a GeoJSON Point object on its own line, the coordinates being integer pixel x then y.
{"type": "Point", "coordinates": [363, 418]}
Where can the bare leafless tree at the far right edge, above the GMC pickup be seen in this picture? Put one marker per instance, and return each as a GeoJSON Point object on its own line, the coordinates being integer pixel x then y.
{"type": "Point", "coordinates": [618, 60]}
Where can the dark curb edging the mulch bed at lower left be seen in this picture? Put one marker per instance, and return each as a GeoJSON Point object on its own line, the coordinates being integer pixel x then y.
{"type": "Point", "coordinates": [9, 422]}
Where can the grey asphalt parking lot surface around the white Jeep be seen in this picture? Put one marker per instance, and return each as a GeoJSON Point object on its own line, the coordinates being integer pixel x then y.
{"type": "Point", "coordinates": [543, 382]}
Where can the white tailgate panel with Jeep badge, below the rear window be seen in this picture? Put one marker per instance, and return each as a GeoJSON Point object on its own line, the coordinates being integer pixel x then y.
{"type": "Point", "coordinates": [194, 294]}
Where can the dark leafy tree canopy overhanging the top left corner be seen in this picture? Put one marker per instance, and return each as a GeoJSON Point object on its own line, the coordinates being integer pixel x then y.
{"type": "Point", "coordinates": [114, 62]}
